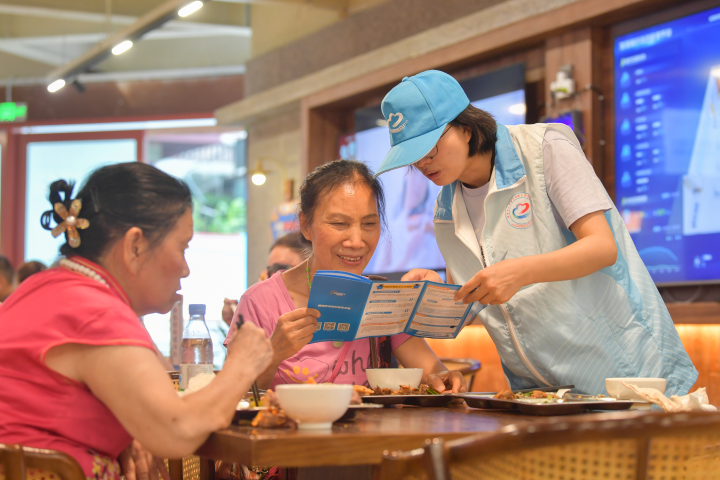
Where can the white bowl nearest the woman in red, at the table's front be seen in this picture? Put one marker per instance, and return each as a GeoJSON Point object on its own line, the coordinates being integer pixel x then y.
{"type": "Point", "coordinates": [314, 407]}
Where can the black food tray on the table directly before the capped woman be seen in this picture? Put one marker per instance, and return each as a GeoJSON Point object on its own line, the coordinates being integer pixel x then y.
{"type": "Point", "coordinates": [567, 407]}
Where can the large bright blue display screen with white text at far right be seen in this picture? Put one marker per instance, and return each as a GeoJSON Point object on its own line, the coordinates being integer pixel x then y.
{"type": "Point", "coordinates": [667, 145]}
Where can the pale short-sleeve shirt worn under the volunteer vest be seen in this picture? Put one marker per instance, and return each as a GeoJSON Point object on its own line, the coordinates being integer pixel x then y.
{"type": "Point", "coordinates": [572, 185]}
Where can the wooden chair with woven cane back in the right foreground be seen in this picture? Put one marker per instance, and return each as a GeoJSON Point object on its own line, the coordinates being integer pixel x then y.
{"type": "Point", "coordinates": [613, 446]}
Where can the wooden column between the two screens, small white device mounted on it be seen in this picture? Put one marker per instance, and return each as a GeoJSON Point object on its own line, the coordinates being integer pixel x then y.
{"type": "Point", "coordinates": [580, 48]}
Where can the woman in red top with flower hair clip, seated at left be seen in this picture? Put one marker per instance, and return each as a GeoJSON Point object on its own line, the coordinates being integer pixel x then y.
{"type": "Point", "coordinates": [82, 376]}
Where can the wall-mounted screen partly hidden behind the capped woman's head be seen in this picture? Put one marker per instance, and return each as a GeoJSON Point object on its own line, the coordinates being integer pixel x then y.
{"type": "Point", "coordinates": [410, 197]}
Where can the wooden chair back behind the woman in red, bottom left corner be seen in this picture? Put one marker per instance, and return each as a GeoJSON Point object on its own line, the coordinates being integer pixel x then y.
{"type": "Point", "coordinates": [21, 463]}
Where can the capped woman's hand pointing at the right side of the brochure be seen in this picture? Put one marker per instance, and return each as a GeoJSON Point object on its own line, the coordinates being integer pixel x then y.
{"type": "Point", "coordinates": [495, 284]}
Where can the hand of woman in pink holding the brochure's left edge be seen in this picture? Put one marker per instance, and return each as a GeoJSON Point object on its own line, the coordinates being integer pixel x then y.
{"type": "Point", "coordinates": [293, 331]}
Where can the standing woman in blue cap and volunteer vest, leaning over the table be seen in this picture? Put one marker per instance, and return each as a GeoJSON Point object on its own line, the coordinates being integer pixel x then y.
{"type": "Point", "coordinates": [527, 228]}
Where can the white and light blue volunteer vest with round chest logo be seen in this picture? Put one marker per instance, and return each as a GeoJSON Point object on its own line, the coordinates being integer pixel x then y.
{"type": "Point", "coordinates": [612, 323]}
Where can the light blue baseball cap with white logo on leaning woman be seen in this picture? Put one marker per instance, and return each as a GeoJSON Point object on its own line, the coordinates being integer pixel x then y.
{"type": "Point", "coordinates": [417, 111]}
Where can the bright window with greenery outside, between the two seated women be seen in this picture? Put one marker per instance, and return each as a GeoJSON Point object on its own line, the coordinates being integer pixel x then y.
{"type": "Point", "coordinates": [214, 167]}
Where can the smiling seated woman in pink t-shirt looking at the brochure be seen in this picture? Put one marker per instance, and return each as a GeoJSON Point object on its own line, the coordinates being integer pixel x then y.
{"type": "Point", "coordinates": [341, 213]}
